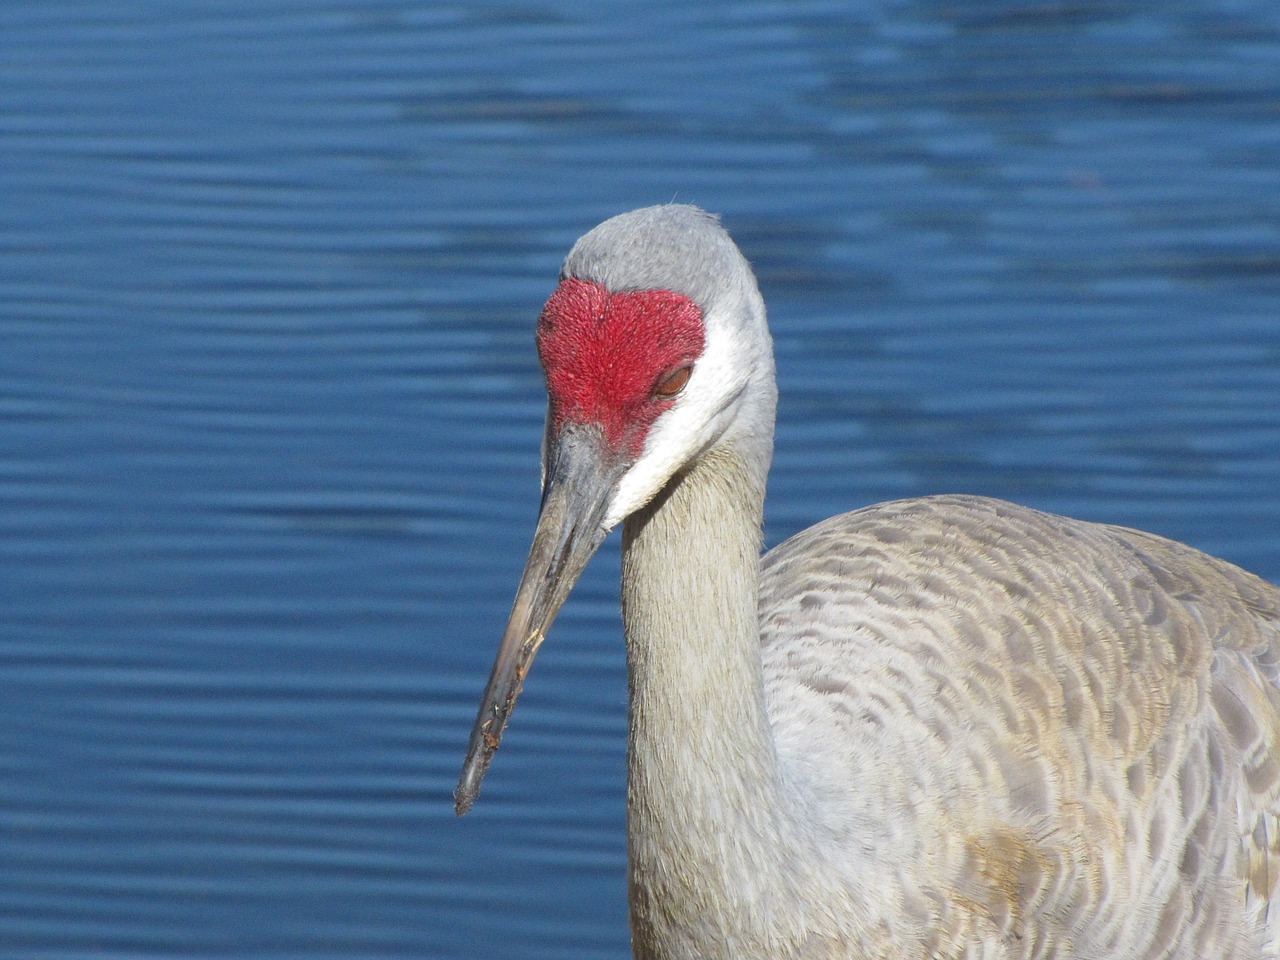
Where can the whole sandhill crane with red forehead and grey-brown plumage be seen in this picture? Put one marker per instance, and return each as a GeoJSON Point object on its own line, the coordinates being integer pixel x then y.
{"type": "Point", "coordinates": [939, 728]}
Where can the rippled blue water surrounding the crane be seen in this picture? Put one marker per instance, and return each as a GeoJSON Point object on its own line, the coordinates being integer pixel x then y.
{"type": "Point", "coordinates": [271, 412]}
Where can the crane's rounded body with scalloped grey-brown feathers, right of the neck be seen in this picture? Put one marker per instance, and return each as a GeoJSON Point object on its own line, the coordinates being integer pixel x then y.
{"type": "Point", "coordinates": [1049, 738]}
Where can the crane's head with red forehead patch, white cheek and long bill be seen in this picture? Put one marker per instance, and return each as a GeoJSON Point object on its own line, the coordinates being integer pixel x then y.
{"type": "Point", "coordinates": [656, 349]}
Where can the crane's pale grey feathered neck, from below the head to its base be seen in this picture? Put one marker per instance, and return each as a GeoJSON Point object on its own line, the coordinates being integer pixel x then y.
{"type": "Point", "coordinates": [726, 854]}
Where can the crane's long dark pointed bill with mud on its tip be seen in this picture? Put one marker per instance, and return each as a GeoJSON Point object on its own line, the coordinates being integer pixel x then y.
{"type": "Point", "coordinates": [582, 474]}
